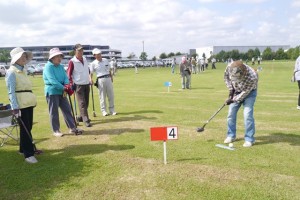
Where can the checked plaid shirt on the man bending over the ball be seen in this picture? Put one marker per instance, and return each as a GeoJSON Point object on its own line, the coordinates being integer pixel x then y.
{"type": "Point", "coordinates": [243, 86]}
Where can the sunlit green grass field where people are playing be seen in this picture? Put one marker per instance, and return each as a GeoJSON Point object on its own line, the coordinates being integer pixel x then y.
{"type": "Point", "coordinates": [115, 158]}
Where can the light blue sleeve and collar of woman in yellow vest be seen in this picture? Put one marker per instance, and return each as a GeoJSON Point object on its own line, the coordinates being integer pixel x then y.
{"type": "Point", "coordinates": [10, 79]}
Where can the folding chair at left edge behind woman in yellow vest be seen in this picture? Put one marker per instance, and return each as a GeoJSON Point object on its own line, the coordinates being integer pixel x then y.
{"type": "Point", "coordinates": [8, 126]}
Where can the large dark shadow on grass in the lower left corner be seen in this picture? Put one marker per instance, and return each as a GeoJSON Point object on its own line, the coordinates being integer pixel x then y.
{"type": "Point", "coordinates": [56, 169]}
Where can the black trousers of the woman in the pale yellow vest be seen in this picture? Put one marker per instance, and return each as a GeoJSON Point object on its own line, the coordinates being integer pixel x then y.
{"type": "Point", "coordinates": [26, 145]}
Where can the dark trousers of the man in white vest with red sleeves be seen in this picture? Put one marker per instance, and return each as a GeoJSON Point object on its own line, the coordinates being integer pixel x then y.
{"type": "Point", "coordinates": [82, 95]}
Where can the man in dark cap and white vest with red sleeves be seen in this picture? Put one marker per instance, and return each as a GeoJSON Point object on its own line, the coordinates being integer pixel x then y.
{"type": "Point", "coordinates": [79, 76]}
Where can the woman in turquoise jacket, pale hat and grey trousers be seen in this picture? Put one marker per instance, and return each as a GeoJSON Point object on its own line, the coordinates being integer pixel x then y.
{"type": "Point", "coordinates": [56, 89]}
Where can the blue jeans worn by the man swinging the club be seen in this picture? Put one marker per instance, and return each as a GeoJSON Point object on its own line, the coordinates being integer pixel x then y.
{"type": "Point", "coordinates": [249, 123]}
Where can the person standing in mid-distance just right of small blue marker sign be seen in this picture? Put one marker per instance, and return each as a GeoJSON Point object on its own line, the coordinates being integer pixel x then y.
{"type": "Point", "coordinates": [185, 72]}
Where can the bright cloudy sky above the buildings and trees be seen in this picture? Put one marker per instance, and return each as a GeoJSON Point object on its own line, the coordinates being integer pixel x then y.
{"type": "Point", "coordinates": [164, 25]}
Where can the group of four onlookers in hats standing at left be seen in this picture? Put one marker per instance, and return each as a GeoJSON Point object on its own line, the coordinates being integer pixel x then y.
{"type": "Point", "coordinates": [59, 86]}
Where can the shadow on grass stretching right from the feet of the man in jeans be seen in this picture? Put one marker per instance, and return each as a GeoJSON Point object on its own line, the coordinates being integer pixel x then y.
{"type": "Point", "coordinates": [292, 139]}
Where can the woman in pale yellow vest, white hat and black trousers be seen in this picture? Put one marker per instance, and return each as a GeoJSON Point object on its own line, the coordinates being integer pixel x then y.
{"type": "Point", "coordinates": [22, 100]}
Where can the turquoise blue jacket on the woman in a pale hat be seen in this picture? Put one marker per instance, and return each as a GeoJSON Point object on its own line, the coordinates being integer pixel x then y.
{"type": "Point", "coordinates": [55, 77]}
